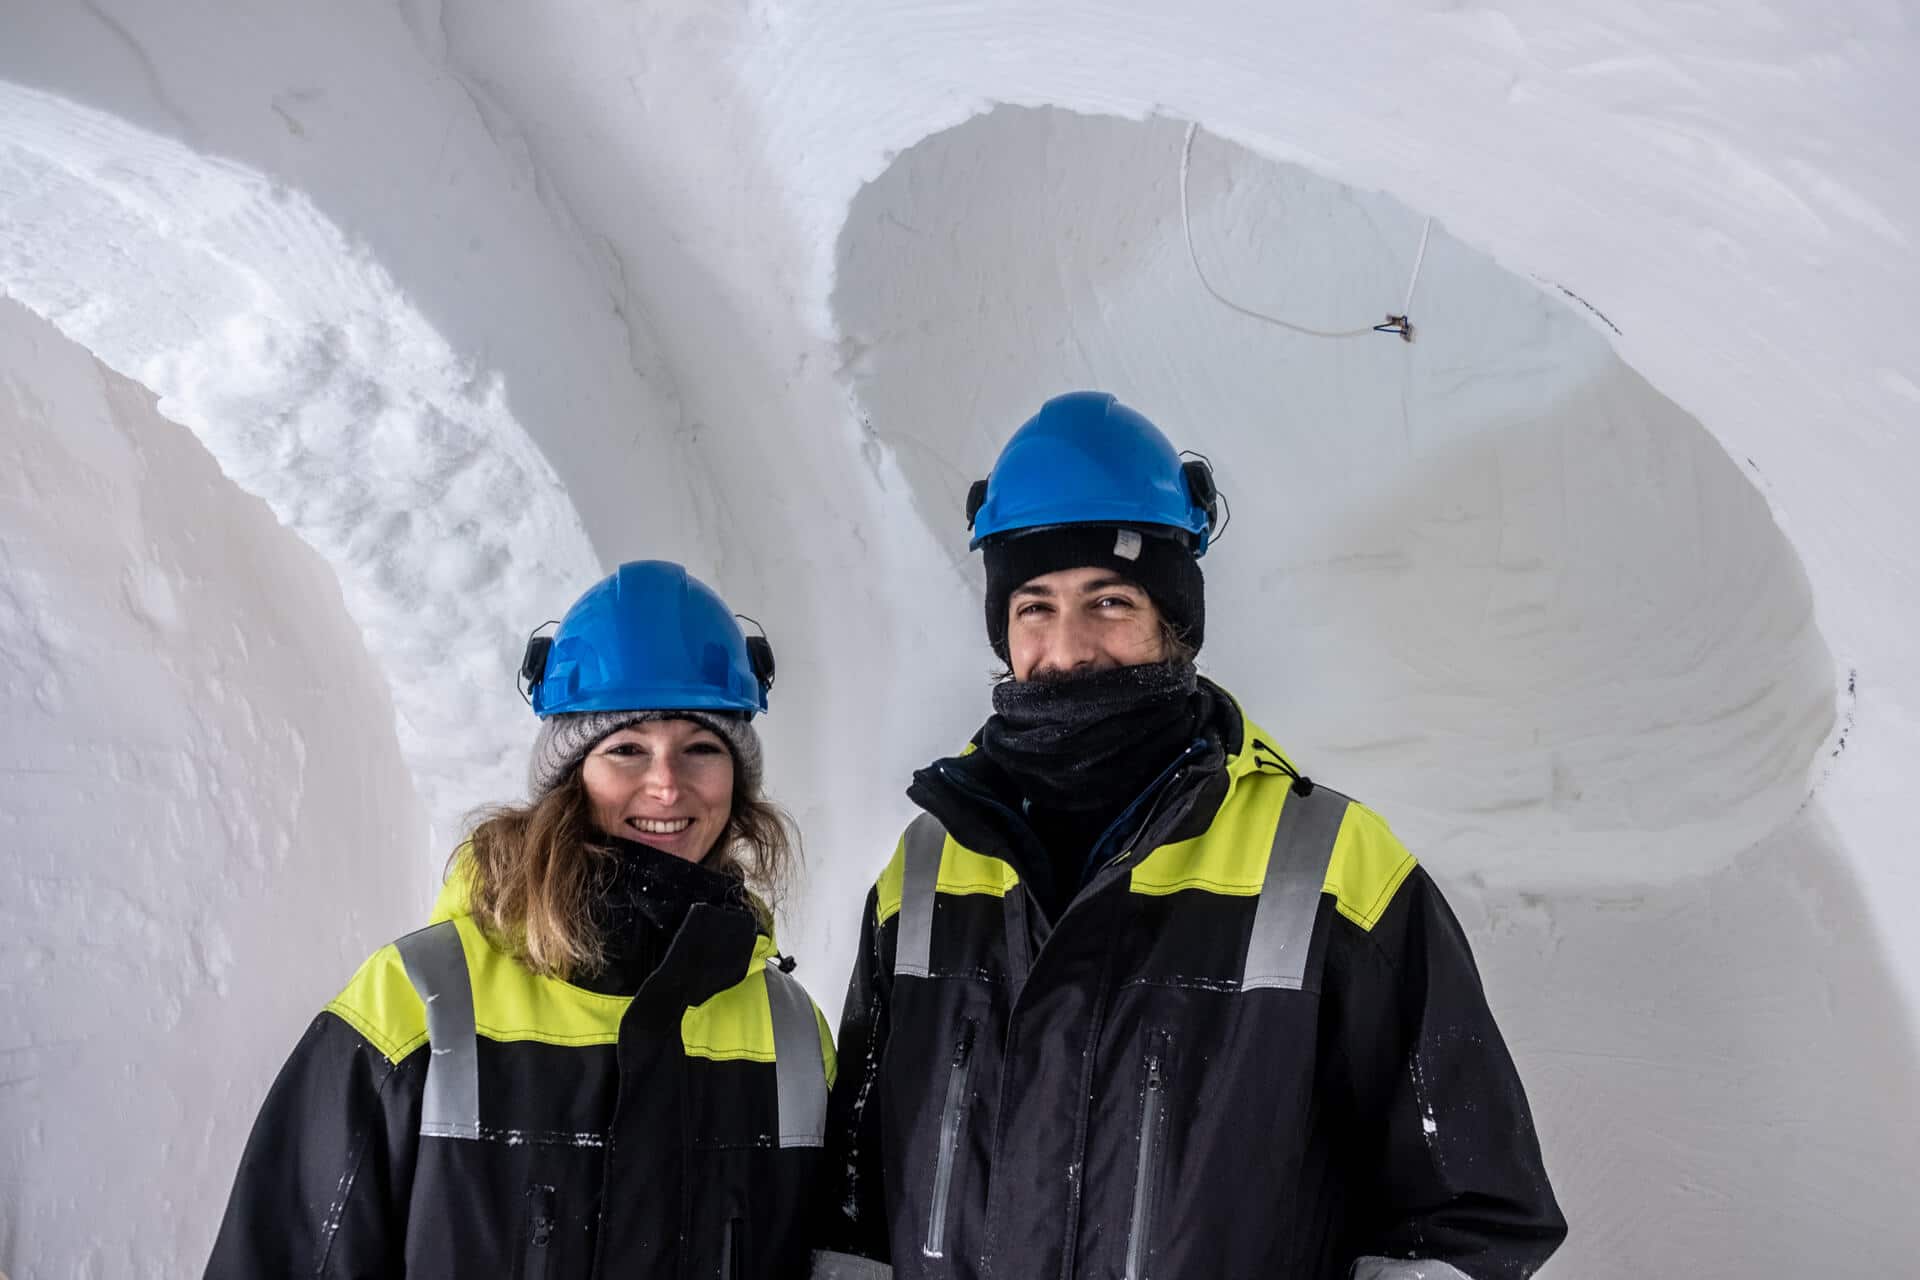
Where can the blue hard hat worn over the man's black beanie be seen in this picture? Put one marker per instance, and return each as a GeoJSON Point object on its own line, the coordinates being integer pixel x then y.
{"type": "Point", "coordinates": [1090, 460]}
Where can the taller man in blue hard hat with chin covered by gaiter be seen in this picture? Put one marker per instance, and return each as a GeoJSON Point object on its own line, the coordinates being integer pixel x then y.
{"type": "Point", "coordinates": [1134, 995]}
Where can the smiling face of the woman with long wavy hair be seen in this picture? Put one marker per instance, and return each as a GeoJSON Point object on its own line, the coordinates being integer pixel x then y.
{"type": "Point", "coordinates": [667, 784]}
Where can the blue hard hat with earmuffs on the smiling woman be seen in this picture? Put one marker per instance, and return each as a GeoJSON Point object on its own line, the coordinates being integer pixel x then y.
{"type": "Point", "coordinates": [650, 638]}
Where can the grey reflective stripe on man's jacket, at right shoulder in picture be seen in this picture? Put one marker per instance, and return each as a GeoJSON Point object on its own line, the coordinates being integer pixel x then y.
{"type": "Point", "coordinates": [1289, 897]}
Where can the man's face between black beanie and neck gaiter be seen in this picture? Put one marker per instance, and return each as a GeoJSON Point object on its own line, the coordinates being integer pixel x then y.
{"type": "Point", "coordinates": [1082, 621]}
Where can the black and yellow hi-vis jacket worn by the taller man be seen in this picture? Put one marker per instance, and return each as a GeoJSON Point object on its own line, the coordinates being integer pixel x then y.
{"type": "Point", "coordinates": [1253, 1045]}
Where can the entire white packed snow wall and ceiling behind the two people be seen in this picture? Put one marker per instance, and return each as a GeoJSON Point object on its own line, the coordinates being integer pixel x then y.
{"type": "Point", "coordinates": [348, 343]}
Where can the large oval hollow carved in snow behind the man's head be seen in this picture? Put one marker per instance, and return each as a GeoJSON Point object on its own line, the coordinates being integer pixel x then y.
{"type": "Point", "coordinates": [1491, 579]}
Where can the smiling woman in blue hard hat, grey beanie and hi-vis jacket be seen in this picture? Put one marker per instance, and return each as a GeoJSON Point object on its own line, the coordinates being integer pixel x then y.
{"type": "Point", "coordinates": [592, 1062]}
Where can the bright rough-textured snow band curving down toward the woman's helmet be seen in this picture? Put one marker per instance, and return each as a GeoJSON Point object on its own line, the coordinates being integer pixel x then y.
{"type": "Point", "coordinates": [322, 389]}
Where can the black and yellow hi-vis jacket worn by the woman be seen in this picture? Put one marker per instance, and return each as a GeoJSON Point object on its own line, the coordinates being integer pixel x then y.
{"type": "Point", "coordinates": [454, 1114]}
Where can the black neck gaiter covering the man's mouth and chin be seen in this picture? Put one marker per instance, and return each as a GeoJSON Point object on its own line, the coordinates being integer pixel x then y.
{"type": "Point", "coordinates": [1088, 746]}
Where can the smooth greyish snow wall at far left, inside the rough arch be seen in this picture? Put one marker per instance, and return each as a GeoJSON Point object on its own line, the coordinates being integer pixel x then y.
{"type": "Point", "coordinates": [199, 776]}
